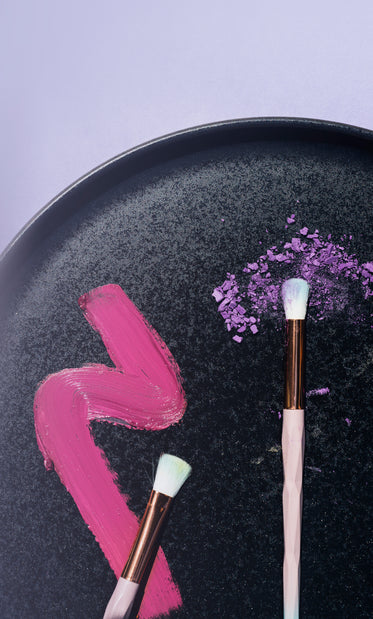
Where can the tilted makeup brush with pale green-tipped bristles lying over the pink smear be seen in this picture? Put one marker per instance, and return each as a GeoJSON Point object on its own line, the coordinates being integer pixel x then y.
{"type": "Point", "coordinates": [171, 473]}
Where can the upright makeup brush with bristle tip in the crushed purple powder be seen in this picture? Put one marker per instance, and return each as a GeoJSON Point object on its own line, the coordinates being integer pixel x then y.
{"type": "Point", "coordinates": [295, 297]}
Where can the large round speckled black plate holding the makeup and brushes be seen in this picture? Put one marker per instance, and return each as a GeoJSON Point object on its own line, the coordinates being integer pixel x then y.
{"type": "Point", "coordinates": [151, 222]}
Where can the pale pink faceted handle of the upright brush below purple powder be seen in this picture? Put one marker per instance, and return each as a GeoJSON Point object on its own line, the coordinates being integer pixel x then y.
{"type": "Point", "coordinates": [292, 499]}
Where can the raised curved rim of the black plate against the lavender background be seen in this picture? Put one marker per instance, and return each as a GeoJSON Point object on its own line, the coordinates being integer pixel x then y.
{"type": "Point", "coordinates": [261, 129]}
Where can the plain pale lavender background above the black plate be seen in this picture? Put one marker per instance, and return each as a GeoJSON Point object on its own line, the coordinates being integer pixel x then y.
{"type": "Point", "coordinates": [83, 81]}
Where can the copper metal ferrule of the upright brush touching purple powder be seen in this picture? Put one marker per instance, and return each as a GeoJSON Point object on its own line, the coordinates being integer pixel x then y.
{"type": "Point", "coordinates": [294, 365]}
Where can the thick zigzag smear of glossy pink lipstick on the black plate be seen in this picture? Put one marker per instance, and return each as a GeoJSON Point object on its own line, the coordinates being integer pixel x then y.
{"type": "Point", "coordinates": [143, 391]}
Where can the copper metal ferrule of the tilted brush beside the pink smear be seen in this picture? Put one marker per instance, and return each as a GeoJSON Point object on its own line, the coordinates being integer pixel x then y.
{"type": "Point", "coordinates": [147, 536]}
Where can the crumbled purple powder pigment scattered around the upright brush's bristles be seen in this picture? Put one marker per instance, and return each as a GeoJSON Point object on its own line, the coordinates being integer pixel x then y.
{"type": "Point", "coordinates": [333, 273]}
